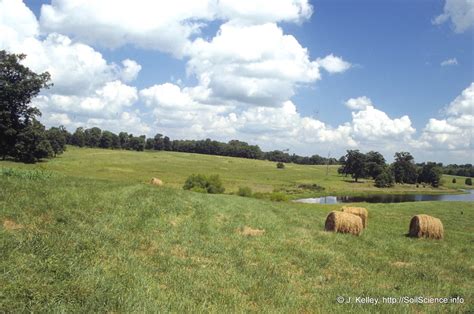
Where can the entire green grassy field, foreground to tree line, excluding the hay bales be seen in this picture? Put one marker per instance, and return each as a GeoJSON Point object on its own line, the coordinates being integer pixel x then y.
{"type": "Point", "coordinates": [88, 235]}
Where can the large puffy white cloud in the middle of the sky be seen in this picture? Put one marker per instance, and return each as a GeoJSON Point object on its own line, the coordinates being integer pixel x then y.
{"type": "Point", "coordinates": [255, 64]}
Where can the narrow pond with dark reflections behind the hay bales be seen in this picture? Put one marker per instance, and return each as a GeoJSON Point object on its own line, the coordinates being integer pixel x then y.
{"type": "Point", "coordinates": [389, 198]}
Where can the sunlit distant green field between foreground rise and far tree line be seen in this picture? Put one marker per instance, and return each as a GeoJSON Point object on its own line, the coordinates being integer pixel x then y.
{"type": "Point", "coordinates": [173, 168]}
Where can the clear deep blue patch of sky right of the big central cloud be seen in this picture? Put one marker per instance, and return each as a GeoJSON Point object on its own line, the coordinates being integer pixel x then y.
{"type": "Point", "coordinates": [398, 52]}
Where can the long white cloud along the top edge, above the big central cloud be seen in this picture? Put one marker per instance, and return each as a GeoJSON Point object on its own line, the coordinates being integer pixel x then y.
{"type": "Point", "coordinates": [162, 25]}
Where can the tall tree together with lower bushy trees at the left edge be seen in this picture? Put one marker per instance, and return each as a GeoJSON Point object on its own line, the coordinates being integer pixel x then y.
{"type": "Point", "coordinates": [22, 136]}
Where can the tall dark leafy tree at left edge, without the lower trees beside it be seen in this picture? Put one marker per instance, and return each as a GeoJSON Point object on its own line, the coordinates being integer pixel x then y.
{"type": "Point", "coordinates": [18, 86]}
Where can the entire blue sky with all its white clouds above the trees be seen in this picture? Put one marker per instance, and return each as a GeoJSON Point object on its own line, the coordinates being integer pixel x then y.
{"type": "Point", "coordinates": [389, 52]}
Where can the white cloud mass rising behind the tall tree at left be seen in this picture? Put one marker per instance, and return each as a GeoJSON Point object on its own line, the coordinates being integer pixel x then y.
{"type": "Point", "coordinates": [86, 86]}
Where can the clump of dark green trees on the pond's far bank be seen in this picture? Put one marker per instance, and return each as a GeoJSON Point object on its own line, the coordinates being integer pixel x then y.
{"type": "Point", "coordinates": [402, 170]}
